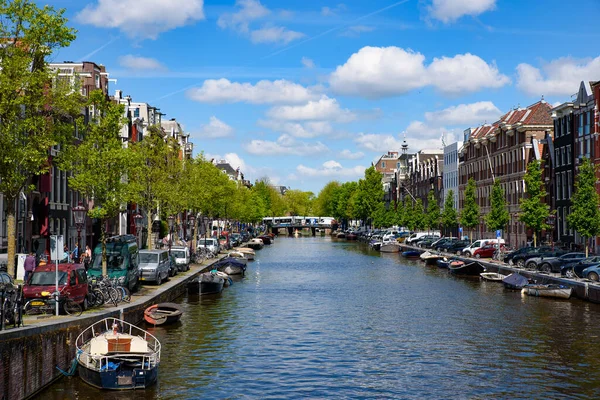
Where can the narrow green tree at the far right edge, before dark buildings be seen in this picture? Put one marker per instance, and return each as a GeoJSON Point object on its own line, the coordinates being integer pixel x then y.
{"type": "Point", "coordinates": [585, 211]}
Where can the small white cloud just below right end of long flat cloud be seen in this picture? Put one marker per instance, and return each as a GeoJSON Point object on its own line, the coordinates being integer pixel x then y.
{"type": "Point", "coordinates": [325, 109]}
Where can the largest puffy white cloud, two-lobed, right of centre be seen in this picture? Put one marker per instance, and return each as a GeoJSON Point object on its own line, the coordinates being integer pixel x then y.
{"type": "Point", "coordinates": [376, 72]}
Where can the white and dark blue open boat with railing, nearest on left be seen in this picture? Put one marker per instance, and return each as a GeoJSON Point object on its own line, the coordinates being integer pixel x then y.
{"type": "Point", "coordinates": [114, 354]}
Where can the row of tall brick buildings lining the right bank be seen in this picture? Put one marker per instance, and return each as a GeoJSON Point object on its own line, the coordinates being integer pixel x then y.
{"type": "Point", "coordinates": [560, 136]}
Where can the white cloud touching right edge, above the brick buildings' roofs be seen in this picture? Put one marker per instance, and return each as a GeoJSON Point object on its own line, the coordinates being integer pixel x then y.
{"type": "Point", "coordinates": [560, 77]}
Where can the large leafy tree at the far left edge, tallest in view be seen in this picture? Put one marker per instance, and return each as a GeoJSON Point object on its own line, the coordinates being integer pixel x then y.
{"type": "Point", "coordinates": [34, 114]}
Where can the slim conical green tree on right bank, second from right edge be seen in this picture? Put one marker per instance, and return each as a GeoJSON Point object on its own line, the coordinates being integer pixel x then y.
{"type": "Point", "coordinates": [534, 212]}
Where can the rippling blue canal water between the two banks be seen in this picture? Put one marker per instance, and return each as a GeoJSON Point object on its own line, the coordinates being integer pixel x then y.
{"type": "Point", "coordinates": [326, 318]}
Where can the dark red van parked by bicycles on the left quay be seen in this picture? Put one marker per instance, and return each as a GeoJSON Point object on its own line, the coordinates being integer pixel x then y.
{"type": "Point", "coordinates": [72, 282]}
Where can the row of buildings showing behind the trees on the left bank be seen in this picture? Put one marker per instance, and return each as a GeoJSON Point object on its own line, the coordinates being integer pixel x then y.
{"type": "Point", "coordinates": [47, 210]}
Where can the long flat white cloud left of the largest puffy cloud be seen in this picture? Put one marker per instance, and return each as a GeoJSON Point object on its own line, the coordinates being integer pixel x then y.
{"type": "Point", "coordinates": [263, 92]}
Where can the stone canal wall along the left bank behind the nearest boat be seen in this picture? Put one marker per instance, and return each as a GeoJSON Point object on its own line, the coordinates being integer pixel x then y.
{"type": "Point", "coordinates": [29, 355]}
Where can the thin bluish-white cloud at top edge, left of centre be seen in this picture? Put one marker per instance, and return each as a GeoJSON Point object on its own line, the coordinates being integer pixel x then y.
{"type": "Point", "coordinates": [250, 11]}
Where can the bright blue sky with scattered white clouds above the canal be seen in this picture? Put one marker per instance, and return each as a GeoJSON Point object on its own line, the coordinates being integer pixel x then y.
{"type": "Point", "coordinates": [305, 92]}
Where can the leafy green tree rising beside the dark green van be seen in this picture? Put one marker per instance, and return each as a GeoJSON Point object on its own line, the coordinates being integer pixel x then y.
{"type": "Point", "coordinates": [100, 163]}
